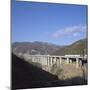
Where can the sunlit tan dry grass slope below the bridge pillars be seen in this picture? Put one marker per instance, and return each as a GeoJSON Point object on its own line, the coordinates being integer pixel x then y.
{"type": "Point", "coordinates": [68, 71]}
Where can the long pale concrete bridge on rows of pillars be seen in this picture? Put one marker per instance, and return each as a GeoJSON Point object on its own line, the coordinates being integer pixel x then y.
{"type": "Point", "coordinates": [49, 60]}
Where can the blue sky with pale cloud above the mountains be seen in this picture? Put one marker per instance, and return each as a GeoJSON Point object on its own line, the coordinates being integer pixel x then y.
{"type": "Point", "coordinates": [60, 24]}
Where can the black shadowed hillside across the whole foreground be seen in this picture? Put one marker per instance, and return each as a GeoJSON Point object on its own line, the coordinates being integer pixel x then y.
{"type": "Point", "coordinates": [26, 75]}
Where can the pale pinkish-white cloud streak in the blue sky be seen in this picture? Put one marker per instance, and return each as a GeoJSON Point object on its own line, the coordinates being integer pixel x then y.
{"type": "Point", "coordinates": [70, 31]}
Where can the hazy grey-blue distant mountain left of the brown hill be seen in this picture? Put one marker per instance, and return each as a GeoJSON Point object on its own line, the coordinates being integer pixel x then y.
{"type": "Point", "coordinates": [34, 47]}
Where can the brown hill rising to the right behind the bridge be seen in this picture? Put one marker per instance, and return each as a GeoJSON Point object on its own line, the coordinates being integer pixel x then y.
{"type": "Point", "coordinates": [78, 47]}
